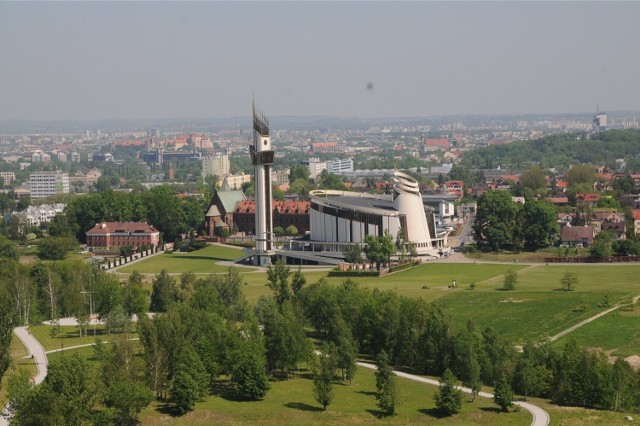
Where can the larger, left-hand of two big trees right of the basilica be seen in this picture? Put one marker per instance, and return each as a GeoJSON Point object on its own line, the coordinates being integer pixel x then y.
{"type": "Point", "coordinates": [497, 226]}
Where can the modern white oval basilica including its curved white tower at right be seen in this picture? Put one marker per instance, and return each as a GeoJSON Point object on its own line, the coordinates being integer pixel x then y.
{"type": "Point", "coordinates": [348, 217]}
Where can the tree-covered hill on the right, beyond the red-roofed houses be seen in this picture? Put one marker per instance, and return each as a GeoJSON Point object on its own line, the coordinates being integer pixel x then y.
{"type": "Point", "coordinates": [561, 151]}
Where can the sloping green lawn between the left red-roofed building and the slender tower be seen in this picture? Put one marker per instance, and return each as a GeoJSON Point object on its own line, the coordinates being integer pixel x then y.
{"type": "Point", "coordinates": [200, 261]}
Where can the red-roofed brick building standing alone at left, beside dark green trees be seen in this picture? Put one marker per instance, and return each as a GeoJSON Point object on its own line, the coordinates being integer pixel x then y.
{"type": "Point", "coordinates": [107, 235]}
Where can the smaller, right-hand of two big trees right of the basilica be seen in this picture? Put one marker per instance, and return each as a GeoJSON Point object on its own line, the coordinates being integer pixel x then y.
{"type": "Point", "coordinates": [540, 224]}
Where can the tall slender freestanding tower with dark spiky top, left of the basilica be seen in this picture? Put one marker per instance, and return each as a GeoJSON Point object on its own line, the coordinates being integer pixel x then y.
{"type": "Point", "coordinates": [262, 160]}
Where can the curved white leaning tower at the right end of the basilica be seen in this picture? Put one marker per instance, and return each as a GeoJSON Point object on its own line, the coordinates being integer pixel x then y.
{"type": "Point", "coordinates": [408, 201]}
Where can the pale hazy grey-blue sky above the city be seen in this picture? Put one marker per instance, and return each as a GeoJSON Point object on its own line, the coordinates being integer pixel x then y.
{"type": "Point", "coordinates": [356, 59]}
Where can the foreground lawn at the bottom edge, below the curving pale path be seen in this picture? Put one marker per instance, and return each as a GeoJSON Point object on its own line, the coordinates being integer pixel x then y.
{"type": "Point", "coordinates": [292, 402]}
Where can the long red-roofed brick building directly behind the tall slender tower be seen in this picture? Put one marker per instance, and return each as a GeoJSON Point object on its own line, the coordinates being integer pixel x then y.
{"type": "Point", "coordinates": [285, 213]}
